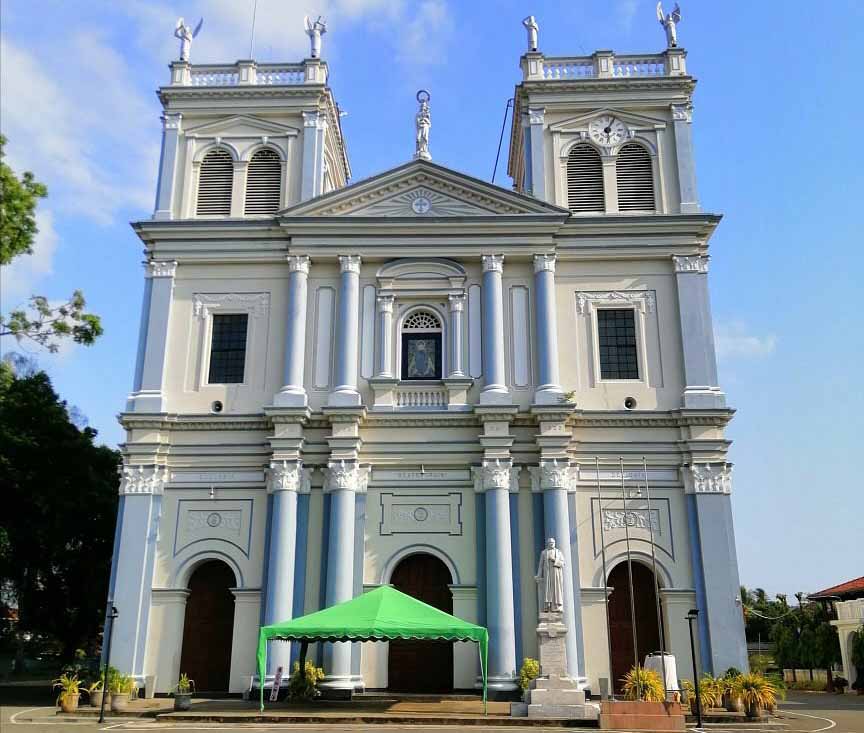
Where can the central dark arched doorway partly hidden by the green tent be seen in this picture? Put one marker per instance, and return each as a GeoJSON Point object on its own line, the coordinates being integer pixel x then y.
{"type": "Point", "coordinates": [422, 666]}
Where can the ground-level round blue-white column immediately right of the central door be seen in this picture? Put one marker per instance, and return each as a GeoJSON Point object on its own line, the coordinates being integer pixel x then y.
{"type": "Point", "coordinates": [495, 479]}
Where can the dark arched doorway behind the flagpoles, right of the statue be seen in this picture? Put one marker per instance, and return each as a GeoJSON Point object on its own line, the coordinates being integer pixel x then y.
{"type": "Point", "coordinates": [620, 623]}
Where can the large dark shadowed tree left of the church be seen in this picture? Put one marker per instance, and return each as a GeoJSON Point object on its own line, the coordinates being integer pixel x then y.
{"type": "Point", "coordinates": [59, 494]}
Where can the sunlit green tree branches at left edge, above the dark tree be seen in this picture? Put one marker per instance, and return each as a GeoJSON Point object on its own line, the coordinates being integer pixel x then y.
{"type": "Point", "coordinates": [44, 322]}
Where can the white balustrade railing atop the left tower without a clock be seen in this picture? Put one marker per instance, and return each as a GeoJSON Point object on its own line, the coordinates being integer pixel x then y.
{"type": "Point", "coordinates": [248, 73]}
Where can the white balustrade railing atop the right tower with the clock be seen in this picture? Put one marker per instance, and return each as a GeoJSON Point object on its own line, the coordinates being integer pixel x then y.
{"type": "Point", "coordinates": [603, 65]}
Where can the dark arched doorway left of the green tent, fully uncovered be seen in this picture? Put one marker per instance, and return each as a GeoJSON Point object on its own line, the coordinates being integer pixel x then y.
{"type": "Point", "coordinates": [209, 627]}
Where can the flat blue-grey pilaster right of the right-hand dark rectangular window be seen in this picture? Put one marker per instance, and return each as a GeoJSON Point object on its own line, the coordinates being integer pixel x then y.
{"type": "Point", "coordinates": [701, 389]}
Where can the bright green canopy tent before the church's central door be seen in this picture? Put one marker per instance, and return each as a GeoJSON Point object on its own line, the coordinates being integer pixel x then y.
{"type": "Point", "coordinates": [379, 615]}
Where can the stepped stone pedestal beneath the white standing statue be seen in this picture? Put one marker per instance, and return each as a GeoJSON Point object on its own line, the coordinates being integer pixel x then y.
{"type": "Point", "coordinates": [553, 694]}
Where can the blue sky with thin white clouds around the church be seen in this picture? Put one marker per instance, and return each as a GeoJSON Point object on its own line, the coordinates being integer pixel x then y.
{"type": "Point", "coordinates": [777, 111]}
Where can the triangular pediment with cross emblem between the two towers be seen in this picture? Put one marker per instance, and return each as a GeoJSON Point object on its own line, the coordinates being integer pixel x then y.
{"type": "Point", "coordinates": [421, 189]}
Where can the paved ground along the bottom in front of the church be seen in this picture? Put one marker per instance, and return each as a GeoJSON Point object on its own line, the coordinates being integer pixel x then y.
{"type": "Point", "coordinates": [802, 713]}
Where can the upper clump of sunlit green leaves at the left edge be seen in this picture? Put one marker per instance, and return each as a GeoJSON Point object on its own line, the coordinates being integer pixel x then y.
{"type": "Point", "coordinates": [18, 199]}
